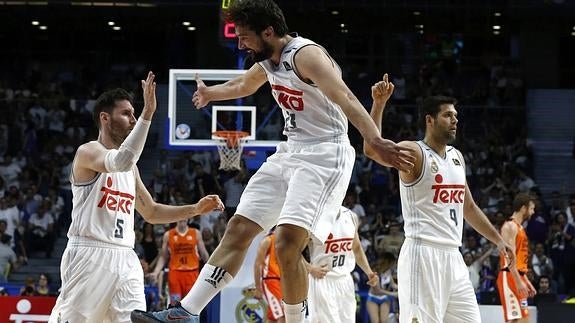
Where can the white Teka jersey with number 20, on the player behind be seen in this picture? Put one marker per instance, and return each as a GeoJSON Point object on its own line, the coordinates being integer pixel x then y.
{"type": "Point", "coordinates": [337, 251]}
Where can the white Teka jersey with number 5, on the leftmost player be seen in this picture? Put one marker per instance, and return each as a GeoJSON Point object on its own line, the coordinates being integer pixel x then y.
{"type": "Point", "coordinates": [103, 209]}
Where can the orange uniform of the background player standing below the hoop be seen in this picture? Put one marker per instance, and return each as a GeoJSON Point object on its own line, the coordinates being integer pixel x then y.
{"type": "Point", "coordinates": [184, 262]}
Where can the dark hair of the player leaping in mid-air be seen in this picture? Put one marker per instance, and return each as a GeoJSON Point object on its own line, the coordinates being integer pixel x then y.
{"type": "Point", "coordinates": [257, 15]}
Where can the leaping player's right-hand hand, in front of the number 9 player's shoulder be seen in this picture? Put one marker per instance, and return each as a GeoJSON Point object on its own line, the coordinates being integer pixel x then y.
{"type": "Point", "coordinates": [399, 157]}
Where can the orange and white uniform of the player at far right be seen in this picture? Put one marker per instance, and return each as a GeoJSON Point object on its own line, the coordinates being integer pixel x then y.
{"type": "Point", "coordinates": [514, 305]}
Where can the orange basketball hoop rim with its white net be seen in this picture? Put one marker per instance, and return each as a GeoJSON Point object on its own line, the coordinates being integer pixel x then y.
{"type": "Point", "coordinates": [230, 146]}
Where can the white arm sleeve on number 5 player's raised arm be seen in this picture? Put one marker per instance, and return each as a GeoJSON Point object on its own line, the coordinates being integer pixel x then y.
{"type": "Point", "coordinates": [125, 157]}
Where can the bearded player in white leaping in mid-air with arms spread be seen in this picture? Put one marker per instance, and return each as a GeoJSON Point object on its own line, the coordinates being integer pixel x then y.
{"type": "Point", "coordinates": [300, 187]}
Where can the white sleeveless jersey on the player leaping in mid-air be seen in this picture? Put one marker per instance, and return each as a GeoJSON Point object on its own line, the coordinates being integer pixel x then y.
{"type": "Point", "coordinates": [308, 113]}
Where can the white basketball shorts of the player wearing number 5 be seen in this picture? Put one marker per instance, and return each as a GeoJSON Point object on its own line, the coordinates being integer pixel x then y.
{"type": "Point", "coordinates": [101, 282]}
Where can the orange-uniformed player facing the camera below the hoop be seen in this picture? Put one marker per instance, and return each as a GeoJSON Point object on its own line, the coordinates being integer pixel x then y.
{"type": "Point", "coordinates": [183, 246]}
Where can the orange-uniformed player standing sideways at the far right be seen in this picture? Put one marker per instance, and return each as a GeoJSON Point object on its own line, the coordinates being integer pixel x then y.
{"type": "Point", "coordinates": [512, 282]}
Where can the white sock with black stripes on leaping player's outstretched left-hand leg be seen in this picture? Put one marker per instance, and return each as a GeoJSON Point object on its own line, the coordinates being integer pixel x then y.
{"type": "Point", "coordinates": [210, 282]}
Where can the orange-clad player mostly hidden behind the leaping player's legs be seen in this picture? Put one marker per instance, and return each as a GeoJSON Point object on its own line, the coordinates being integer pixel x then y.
{"type": "Point", "coordinates": [267, 278]}
